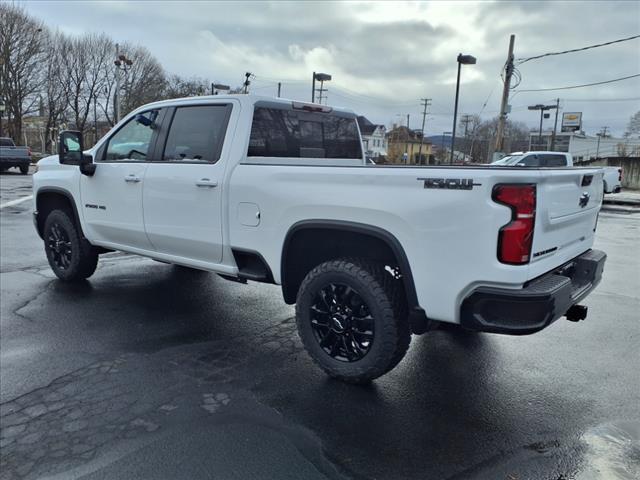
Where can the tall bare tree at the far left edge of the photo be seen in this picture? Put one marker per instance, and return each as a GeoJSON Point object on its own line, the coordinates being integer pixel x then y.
{"type": "Point", "coordinates": [22, 41]}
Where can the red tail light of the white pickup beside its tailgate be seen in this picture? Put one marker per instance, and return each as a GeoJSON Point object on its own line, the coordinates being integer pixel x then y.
{"type": "Point", "coordinates": [516, 237]}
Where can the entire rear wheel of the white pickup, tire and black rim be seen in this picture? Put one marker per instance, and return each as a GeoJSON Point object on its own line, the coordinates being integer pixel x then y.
{"type": "Point", "coordinates": [352, 319]}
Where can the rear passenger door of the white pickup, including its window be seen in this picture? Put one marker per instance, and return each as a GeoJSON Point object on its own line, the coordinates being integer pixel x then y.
{"type": "Point", "coordinates": [183, 190]}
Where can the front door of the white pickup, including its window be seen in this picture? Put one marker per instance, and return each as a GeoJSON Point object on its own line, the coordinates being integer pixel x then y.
{"type": "Point", "coordinates": [112, 197]}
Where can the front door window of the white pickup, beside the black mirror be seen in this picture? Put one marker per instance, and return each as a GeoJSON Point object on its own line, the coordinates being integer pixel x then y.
{"type": "Point", "coordinates": [132, 141]}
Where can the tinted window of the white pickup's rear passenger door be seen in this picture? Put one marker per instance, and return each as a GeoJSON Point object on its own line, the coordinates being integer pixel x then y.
{"type": "Point", "coordinates": [196, 134]}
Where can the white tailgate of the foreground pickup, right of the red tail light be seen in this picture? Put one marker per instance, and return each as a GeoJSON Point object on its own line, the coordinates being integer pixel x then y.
{"type": "Point", "coordinates": [567, 206]}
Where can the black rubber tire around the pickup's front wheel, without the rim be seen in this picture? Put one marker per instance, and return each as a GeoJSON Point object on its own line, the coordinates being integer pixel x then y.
{"type": "Point", "coordinates": [83, 257]}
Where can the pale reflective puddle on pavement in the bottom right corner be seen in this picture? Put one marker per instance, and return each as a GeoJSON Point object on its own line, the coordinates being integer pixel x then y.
{"type": "Point", "coordinates": [612, 452]}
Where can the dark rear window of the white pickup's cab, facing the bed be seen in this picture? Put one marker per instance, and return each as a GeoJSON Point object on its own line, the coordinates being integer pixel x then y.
{"type": "Point", "coordinates": [298, 134]}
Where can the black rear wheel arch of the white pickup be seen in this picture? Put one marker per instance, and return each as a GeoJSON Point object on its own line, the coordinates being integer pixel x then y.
{"type": "Point", "coordinates": [311, 242]}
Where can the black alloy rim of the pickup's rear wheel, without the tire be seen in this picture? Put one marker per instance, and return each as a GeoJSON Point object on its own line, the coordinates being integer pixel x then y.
{"type": "Point", "coordinates": [342, 322]}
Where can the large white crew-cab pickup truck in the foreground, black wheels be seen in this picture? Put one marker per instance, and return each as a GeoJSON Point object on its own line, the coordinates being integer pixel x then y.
{"type": "Point", "coordinates": [278, 191]}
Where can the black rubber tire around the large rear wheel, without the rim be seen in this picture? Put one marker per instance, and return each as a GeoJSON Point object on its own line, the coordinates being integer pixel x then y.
{"type": "Point", "coordinates": [385, 299]}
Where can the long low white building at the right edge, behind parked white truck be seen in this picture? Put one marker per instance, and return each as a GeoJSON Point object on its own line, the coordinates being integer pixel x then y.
{"type": "Point", "coordinates": [584, 147]}
